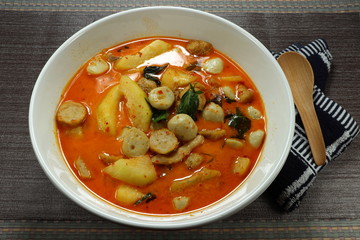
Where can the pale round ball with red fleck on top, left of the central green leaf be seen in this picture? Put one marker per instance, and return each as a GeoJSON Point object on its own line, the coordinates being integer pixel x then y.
{"type": "Point", "coordinates": [161, 98]}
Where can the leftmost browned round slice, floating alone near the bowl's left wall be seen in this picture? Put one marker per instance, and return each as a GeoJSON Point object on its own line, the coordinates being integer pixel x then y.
{"type": "Point", "coordinates": [71, 113]}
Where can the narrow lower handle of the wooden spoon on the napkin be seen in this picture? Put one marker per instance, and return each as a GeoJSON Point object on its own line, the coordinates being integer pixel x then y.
{"type": "Point", "coordinates": [313, 131]}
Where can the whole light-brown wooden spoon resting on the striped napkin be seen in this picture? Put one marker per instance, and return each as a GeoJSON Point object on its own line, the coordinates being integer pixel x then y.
{"type": "Point", "coordinates": [300, 76]}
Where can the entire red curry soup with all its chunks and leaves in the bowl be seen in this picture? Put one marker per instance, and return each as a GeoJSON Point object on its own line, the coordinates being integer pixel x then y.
{"type": "Point", "coordinates": [161, 125]}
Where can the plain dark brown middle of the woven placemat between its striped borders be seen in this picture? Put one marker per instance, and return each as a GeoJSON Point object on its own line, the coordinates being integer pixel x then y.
{"type": "Point", "coordinates": [29, 38]}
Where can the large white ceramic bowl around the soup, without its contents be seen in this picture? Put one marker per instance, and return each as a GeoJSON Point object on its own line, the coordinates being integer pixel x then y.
{"type": "Point", "coordinates": [227, 37]}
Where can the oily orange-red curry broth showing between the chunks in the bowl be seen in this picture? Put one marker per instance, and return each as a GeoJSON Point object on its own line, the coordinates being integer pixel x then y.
{"type": "Point", "coordinates": [89, 90]}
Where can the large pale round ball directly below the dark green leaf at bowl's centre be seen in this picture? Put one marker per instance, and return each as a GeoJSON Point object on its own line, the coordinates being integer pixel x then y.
{"type": "Point", "coordinates": [183, 126]}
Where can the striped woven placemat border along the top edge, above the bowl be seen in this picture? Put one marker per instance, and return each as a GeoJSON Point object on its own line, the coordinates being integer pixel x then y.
{"type": "Point", "coordinates": [207, 5]}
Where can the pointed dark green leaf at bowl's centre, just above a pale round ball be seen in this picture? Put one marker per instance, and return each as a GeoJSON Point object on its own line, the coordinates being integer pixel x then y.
{"type": "Point", "coordinates": [189, 102]}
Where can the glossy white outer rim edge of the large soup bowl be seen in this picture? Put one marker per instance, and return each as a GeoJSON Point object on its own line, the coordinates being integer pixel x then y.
{"type": "Point", "coordinates": [166, 225]}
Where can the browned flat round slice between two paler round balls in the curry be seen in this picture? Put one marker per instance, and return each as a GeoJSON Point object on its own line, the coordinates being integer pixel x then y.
{"type": "Point", "coordinates": [163, 141]}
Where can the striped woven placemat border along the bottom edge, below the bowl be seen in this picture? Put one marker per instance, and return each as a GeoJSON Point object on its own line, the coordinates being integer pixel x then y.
{"type": "Point", "coordinates": [300, 229]}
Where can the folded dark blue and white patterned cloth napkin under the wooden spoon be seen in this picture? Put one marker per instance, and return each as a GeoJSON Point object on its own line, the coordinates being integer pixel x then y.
{"type": "Point", "coordinates": [338, 128]}
